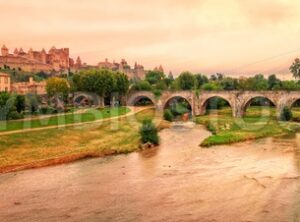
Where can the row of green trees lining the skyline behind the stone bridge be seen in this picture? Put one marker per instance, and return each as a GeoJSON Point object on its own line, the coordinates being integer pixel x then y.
{"type": "Point", "coordinates": [189, 81]}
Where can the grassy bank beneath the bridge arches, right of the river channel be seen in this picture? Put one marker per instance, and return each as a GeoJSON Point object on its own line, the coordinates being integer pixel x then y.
{"type": "Point", "coordinates": [258, 122]}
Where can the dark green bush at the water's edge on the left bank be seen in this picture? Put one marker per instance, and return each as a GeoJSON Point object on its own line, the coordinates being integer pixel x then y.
{"type": "Point", "coordinates": [149, 133]}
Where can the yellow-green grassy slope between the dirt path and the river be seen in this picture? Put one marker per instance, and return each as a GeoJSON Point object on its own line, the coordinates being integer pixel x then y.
{"type": "Point", "coordinates": [55, 146]}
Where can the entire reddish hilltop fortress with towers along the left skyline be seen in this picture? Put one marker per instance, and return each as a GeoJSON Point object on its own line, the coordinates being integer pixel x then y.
{"type": "Point", "coordinates": [58, 61]}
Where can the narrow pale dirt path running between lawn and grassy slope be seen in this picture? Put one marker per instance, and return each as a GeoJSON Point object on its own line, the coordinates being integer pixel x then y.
{"type": "Point", "coordinates": [133, 110]}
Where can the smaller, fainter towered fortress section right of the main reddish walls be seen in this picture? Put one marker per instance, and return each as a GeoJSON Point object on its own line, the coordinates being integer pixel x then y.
{"type": "Point", "coordinates": [137, 72]}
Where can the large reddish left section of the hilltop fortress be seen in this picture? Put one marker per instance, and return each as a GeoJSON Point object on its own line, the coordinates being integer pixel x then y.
{"type": "Point", "coordinates": [55, 60]}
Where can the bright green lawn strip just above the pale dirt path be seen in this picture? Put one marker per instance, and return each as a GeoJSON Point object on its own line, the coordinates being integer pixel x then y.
{"type": "Point", "coordinates": [69, 118]}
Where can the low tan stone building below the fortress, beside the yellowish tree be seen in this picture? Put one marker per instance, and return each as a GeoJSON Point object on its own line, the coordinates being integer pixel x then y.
{"type": "Point", "coordinates": [31, 87]}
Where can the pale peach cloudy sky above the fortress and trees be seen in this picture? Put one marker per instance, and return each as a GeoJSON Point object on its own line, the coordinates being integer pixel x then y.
{"type": "Point", "coordinates": [235, 37]}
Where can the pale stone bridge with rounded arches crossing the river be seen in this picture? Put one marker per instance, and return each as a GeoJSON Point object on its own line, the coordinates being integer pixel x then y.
{"type": "Point", "coordinates": [238, 100]}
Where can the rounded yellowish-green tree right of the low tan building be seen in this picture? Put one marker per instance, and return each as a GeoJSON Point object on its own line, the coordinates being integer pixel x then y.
{"type": "Point", "coordinates": [57, 86]}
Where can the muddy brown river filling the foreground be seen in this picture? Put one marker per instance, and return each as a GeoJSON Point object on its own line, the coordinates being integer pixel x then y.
{"type": "Point", "coordinates": [178, 181]}
